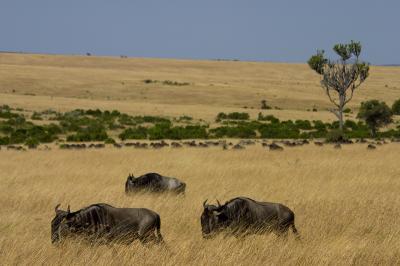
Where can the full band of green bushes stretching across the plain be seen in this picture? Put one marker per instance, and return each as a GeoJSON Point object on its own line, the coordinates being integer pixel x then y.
{"type": "Point", "coordinates": [93, 125]}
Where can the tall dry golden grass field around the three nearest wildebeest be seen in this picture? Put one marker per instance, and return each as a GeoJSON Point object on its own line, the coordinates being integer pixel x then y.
{"type": "Point", "coordinates": [346, 204]}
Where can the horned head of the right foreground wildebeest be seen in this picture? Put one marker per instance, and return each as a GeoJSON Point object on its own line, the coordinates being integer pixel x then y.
{"type": "Point", "coordinates": [211, 219]}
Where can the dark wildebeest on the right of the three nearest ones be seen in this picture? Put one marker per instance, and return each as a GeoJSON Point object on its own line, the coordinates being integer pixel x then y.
{"type": "Point", "coordinates": [245, 216]}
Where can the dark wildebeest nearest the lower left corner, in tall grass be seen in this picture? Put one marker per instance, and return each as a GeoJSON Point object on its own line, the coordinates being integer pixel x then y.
{"type": "Point", "coordinates": [103, 222]}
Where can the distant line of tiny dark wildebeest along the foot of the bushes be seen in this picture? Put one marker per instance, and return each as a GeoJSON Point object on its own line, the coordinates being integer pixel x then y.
{"type": "Point", "coordinates": [275, 145]}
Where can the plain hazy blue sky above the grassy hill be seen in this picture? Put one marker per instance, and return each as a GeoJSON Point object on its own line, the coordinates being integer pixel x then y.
{"type": "Point", "coordinates": [284, 30]}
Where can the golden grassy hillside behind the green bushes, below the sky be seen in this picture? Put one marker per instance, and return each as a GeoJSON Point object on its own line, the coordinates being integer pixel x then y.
{"type": "Point", "coordinates": [63, 83]}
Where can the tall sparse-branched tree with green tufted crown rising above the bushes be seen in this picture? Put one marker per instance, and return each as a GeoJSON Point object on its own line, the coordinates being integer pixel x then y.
{"type": "Point", "coordinates": [342, 77]}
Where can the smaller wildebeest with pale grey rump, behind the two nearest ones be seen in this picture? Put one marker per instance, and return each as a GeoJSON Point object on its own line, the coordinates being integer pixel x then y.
{"type": "Point", "coordinates": [154, 182]}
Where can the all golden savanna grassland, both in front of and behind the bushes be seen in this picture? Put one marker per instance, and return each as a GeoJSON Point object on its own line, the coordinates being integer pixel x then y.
{"type": "Point", "coordinates": [346, 200]}
